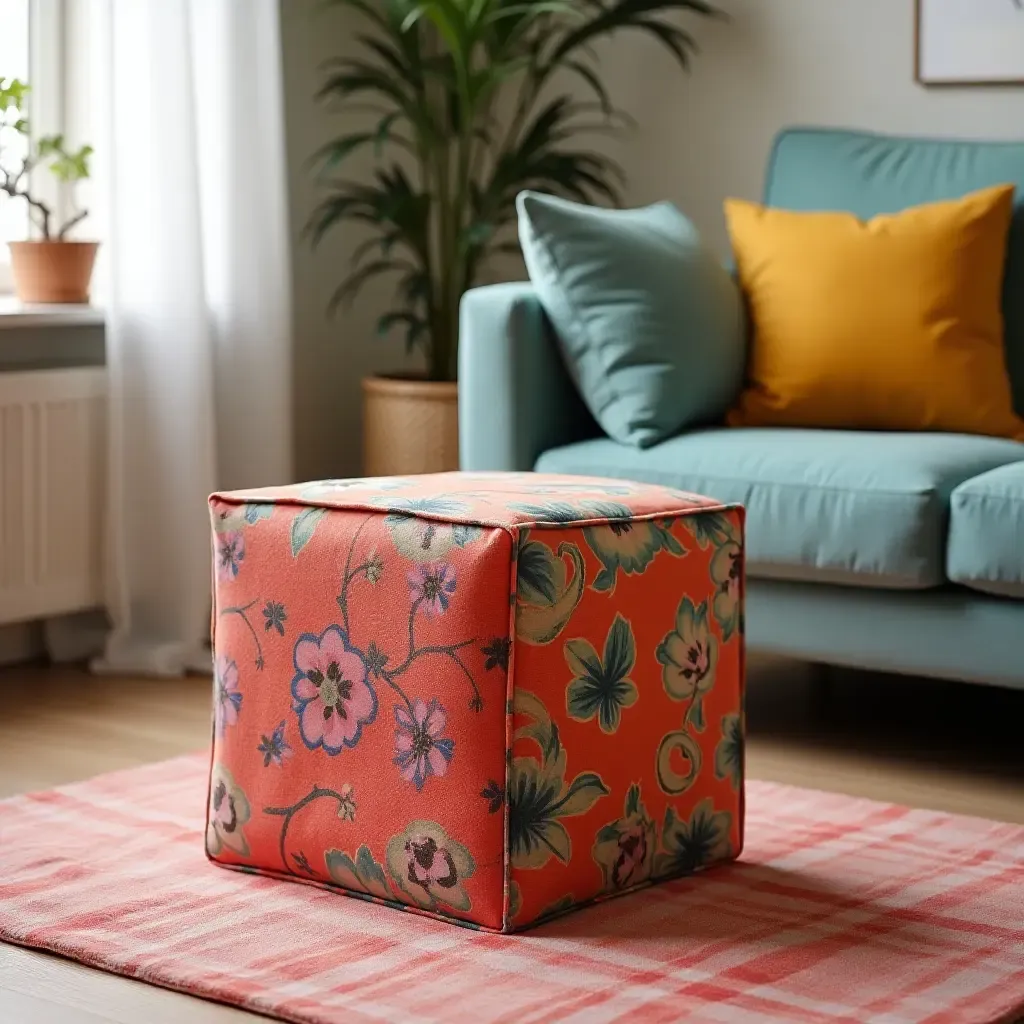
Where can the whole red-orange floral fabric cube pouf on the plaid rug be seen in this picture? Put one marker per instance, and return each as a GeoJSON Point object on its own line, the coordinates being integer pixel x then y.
{"type": "Point", "coordinates": [487, 698]}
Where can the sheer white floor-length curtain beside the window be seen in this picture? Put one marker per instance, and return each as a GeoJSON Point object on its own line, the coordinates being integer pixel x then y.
{"type": "Point", "coordinates": [196, 283]}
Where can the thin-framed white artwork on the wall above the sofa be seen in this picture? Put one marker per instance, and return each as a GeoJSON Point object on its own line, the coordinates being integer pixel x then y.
{"type": "Point", "coordinates": [969, 42]}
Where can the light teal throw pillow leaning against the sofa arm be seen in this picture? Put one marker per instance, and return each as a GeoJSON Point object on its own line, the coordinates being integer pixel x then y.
{"type": "Point", "coordinates": [651, 325]}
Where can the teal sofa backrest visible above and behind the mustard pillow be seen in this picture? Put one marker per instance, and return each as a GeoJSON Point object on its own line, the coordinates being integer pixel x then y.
{"type": "Point", "coordinates": [868, 175]}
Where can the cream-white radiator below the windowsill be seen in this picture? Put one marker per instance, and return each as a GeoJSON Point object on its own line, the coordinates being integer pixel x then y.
{"type": "Point", "coordinates": [53, 492]}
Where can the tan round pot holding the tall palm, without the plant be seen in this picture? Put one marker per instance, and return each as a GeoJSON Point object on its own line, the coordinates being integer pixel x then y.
{"type": "Point", "coordinates": [410, 425]}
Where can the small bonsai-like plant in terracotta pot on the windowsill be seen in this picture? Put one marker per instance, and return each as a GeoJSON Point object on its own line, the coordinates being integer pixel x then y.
{"type": "Point", "coordinates": [51, 269]}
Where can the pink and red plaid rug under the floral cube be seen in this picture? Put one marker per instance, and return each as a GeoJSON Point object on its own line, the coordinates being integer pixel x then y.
{"type": "Point", "coordinates": [842, 911]}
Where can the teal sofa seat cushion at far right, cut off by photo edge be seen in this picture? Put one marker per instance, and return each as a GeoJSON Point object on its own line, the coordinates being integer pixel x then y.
{"type": "Point", "coordinates": [987, 532]}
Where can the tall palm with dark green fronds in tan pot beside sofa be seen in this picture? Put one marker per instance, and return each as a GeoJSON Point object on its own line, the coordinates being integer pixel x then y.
{"type": "Point", "coordinates": [474, 101]}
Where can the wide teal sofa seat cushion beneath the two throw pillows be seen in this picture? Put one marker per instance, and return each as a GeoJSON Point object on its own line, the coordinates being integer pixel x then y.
{"type": "Point", "coordinates": [830, 506]}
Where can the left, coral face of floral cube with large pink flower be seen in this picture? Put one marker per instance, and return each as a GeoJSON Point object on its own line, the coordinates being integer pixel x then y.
{"type": "Point", "coordinates": [360, 704]}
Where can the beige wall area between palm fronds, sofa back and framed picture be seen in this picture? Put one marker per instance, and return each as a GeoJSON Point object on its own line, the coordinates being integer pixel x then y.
{"type": "Point", "coordinates": [778, 63]}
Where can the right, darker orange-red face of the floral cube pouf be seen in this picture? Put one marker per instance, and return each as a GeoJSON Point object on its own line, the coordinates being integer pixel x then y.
{"type": "Point", "coordinates": [627, 752]}
